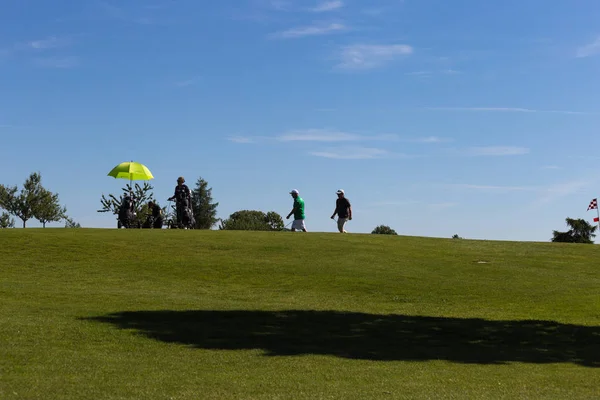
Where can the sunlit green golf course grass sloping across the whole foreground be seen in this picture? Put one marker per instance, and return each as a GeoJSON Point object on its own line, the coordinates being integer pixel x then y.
{"type": "Point", "coordinates": [169, 314]}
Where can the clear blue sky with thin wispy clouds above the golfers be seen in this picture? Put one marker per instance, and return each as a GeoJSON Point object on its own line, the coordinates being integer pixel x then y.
{"type": "Point", "coordinates": [437, 117]}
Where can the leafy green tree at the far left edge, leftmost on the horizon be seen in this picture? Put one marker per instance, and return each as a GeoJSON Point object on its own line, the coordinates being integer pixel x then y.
{"type": "Point", "coordinates": [22, 205]}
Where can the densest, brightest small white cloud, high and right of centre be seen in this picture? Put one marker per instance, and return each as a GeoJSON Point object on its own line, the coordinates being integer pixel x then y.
{"type": "Point", "coordinates": [363, 56]}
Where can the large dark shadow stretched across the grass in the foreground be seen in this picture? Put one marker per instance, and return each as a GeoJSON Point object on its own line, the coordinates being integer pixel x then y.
{"type": "Point", "coordinates": [369, 336]}
